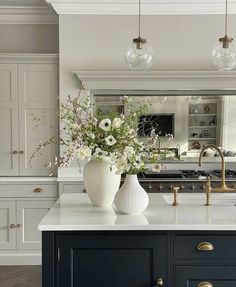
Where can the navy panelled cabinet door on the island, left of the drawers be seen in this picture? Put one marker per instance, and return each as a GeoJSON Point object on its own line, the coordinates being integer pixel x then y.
{"type": "Point", "coordinates": [105, 260]}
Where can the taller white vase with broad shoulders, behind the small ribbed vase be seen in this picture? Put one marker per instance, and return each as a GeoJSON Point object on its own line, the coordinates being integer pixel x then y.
{"type": "Point", "coordinates": [101, 182]}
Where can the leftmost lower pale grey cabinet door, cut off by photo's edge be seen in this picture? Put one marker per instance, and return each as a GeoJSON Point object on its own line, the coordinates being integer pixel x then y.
{"type": "Point", "coordinates": [7, 225]}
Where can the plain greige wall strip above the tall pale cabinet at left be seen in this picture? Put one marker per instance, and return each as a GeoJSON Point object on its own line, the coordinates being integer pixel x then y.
{"type": "Point", "coordinates": [29, 38]}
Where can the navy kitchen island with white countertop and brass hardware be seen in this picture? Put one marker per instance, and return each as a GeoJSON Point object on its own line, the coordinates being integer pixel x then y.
{"type": "Point", "coordinates": [189, 245]}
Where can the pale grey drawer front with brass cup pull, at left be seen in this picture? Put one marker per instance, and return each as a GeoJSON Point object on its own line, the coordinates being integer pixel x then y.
{"type": "Point", "coordinates": [28, 190]}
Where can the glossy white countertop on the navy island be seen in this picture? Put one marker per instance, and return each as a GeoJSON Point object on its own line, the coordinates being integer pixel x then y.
{"type": "Point", "coordinates": [75, 212]}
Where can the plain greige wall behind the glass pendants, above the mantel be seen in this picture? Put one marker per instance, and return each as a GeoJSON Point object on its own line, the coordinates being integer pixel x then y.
{"type": "Point", "coordinates": [98, 42]}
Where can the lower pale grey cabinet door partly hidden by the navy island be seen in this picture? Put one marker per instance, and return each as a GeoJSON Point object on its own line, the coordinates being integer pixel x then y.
{"type": "Point", "coordinates": [29, 214]}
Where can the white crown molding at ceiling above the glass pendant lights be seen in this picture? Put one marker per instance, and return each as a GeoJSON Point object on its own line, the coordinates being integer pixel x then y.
{"type": "Point", "coordinates": [149, 7]}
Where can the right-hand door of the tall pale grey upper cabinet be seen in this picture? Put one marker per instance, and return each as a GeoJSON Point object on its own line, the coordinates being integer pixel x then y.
{"type": "Point", "coordinates": [37, 100]}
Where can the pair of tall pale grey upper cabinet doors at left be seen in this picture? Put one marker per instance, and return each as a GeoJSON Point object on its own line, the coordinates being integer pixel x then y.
{"type": "Point", "coordinates": [27, 92]}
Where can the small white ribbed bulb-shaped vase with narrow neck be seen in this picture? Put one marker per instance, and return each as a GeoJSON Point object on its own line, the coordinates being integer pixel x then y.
{"type": "Point", "coordinates": [131, 197]}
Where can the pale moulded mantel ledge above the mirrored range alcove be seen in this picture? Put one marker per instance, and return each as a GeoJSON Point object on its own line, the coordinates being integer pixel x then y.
{"type": "Point", "coordinates": [158, 80]}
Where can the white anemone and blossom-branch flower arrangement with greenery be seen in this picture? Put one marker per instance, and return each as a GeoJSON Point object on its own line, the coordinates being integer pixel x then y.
{"type": "Point", "coordinates": [87, 133]}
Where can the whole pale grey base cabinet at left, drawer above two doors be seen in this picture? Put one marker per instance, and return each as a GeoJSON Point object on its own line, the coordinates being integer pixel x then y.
{"type": "Point", "coordinates": [22, 207]}
